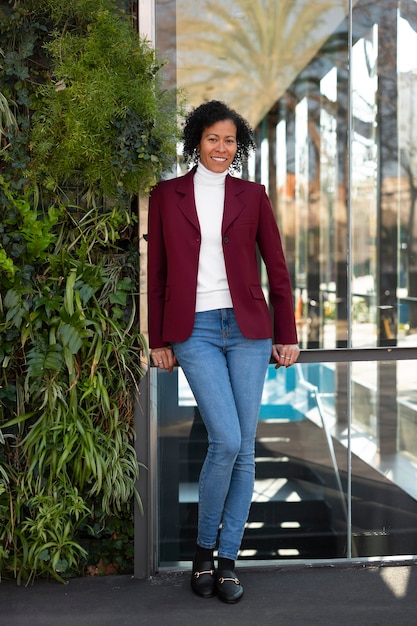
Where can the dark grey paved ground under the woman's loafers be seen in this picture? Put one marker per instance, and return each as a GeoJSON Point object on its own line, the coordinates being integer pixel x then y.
{"type": "Point", "coordinates": [291, 596]}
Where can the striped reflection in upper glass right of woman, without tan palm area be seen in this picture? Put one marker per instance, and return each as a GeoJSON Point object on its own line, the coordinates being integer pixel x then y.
{"type": "Point", "coordinates": [365, 295]}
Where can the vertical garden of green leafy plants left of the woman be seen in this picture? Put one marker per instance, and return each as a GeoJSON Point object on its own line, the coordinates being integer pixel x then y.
{"type": "Point", "coordinates": [85, 128]}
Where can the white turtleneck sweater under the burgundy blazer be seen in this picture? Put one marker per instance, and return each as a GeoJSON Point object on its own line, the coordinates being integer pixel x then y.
{"type": "Point", "coordinates": [212, 286]}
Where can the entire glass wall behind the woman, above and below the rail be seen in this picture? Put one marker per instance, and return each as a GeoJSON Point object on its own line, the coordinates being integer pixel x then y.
{"type": "Point", "coordinates": [330, 88]}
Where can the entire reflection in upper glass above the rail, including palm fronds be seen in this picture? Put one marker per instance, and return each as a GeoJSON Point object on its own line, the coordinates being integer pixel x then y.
{"type": "Point", "coordinates": [285, 67]}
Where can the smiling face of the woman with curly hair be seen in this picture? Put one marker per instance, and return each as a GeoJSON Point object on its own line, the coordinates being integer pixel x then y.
{"type": "Point", "coordinates": [218, 146]}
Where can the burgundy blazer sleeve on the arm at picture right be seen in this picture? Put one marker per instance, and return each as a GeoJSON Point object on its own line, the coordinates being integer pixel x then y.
{"type": "Point", "coordinates": [280, 289]}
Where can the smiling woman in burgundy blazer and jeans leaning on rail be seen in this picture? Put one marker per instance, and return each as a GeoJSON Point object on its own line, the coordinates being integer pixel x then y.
{"type": "Point", "coordinates": [208, 312]}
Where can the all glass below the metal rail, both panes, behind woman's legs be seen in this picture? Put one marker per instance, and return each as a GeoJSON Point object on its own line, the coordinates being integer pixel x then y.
{"type": "Point", "coordinates": [299, 508]}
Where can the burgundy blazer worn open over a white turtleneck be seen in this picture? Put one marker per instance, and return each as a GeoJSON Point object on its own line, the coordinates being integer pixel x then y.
{"type": "Point", "coordinates": [174, 245]}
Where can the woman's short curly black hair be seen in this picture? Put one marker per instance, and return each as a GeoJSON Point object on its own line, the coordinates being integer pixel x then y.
{"type": "Point", "coordinates": [208, 114]}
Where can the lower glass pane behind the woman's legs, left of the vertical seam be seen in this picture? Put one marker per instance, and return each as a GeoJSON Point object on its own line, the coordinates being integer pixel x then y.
{"type": "Point", "coordinates": [299, 503]}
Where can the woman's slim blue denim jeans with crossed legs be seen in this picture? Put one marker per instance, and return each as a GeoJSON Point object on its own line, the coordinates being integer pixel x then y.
{"type": "Point", "coordinates": [226, 373]}
